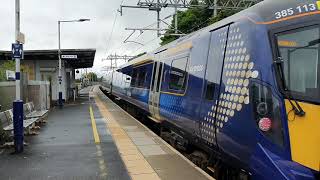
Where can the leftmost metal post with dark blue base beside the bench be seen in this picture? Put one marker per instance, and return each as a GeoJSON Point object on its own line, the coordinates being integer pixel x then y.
{"type": "Point", "coordinates": [18, 103]}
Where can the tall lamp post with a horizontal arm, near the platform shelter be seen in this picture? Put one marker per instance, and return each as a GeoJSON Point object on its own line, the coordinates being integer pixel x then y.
{"type": "Point", "coordinates": [59, 54]}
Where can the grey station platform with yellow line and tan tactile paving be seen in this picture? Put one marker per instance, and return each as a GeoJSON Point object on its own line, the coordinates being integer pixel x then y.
{"type": "Point", "coordinates": [93, 138]}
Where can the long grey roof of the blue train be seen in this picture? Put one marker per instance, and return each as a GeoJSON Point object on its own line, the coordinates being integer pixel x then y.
{"type": "Point", "coordinates": [263, 13]}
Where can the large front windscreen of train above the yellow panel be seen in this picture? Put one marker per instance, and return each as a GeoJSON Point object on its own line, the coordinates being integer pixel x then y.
{"type": "Point", "coordinates": [300, 49]}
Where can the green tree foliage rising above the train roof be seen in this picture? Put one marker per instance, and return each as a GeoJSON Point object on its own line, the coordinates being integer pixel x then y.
{"type": "Point", "coordinates": [194, 19]}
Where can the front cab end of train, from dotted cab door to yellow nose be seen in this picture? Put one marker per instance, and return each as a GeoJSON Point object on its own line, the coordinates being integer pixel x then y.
{"type": "Point", "coordinates": [266, 118]}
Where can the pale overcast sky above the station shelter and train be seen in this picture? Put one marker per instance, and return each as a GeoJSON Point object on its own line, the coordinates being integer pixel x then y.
{"type": "Point", "coordinates": [39, 24]}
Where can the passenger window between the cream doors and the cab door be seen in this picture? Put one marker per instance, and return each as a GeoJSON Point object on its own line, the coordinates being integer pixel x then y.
{"type": "Point", "coordinates": [178, 74]}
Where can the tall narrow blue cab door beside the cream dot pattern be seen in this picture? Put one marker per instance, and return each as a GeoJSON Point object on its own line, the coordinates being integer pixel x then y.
{"type": "Point", "coordinates": [212, 82]}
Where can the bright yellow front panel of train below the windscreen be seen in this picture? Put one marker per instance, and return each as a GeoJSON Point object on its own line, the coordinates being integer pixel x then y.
{"type": "Point", "coordinates": [304, 135]}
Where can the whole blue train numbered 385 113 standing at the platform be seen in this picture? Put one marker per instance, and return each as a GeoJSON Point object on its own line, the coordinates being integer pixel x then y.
{"type": "Point", "coordinates": [245, 90]}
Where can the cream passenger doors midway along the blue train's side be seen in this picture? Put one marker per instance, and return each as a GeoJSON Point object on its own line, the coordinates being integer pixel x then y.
{"type": "Point", "coordinates": [154, 95]}
